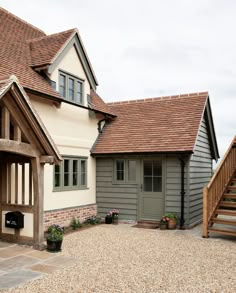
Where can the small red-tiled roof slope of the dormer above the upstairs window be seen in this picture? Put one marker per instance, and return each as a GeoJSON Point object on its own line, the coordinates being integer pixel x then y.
{"type": "Point", "coordinates": [44, 50]}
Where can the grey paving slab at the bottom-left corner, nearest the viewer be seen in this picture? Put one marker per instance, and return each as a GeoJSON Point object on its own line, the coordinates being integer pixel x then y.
{"type": "Point", "coordinates": [16, 278]}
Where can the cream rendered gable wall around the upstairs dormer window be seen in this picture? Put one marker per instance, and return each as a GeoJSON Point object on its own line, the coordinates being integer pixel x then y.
{"type": "Point", "coordinates": [71, 64]}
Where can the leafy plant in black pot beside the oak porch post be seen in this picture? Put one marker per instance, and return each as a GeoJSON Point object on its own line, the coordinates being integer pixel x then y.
{"type": "Point", "coordinates": [54, 238]}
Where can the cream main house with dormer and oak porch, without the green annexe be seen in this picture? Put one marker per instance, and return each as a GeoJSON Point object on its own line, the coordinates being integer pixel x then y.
{"type": "Point", "coordinates": [49, 122]}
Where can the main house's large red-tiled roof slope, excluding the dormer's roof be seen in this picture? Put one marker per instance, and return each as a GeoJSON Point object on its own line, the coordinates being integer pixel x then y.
{"type": "Point", "coordinates": [15, 54]}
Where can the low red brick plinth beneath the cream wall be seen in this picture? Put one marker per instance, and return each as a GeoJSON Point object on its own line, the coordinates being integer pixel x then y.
{"type": "Point", "coordinates": [63, 217]}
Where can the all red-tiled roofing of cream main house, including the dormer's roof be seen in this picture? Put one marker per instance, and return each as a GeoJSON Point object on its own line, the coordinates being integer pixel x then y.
{"type": "Point", "coordinates": [23, 46]}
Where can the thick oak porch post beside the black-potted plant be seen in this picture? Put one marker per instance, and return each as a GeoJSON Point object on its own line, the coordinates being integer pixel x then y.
{"type": "Point", "coordinates": [38, 183]}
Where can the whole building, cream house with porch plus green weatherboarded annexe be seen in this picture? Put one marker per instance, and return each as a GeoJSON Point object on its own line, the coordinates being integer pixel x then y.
{"type": "Point", "coordinates": [65, 153]}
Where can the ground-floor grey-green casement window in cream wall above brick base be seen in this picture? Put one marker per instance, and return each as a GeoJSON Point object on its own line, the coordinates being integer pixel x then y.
{"type": "Point", "coordinates": [71, 174]}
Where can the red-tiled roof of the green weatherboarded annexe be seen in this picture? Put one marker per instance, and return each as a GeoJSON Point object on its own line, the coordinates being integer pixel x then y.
{"type": "Point", "coordinates": [165, 124]}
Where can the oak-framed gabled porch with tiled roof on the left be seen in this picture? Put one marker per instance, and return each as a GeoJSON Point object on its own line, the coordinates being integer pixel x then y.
{"type": "Point", "coordinates": [25, 147]}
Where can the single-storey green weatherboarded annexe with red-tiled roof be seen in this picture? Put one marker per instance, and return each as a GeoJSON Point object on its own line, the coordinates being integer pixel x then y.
{"type": "Point", "coordinates": [156, 157]}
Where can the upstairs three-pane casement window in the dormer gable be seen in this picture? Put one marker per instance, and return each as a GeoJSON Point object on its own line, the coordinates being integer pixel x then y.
{"type": "Point", "coordinates": [71, 88]}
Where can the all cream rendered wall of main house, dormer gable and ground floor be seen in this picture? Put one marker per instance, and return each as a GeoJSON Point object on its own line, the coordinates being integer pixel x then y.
{"type": "Point", "coordinates": [74, 131]}
